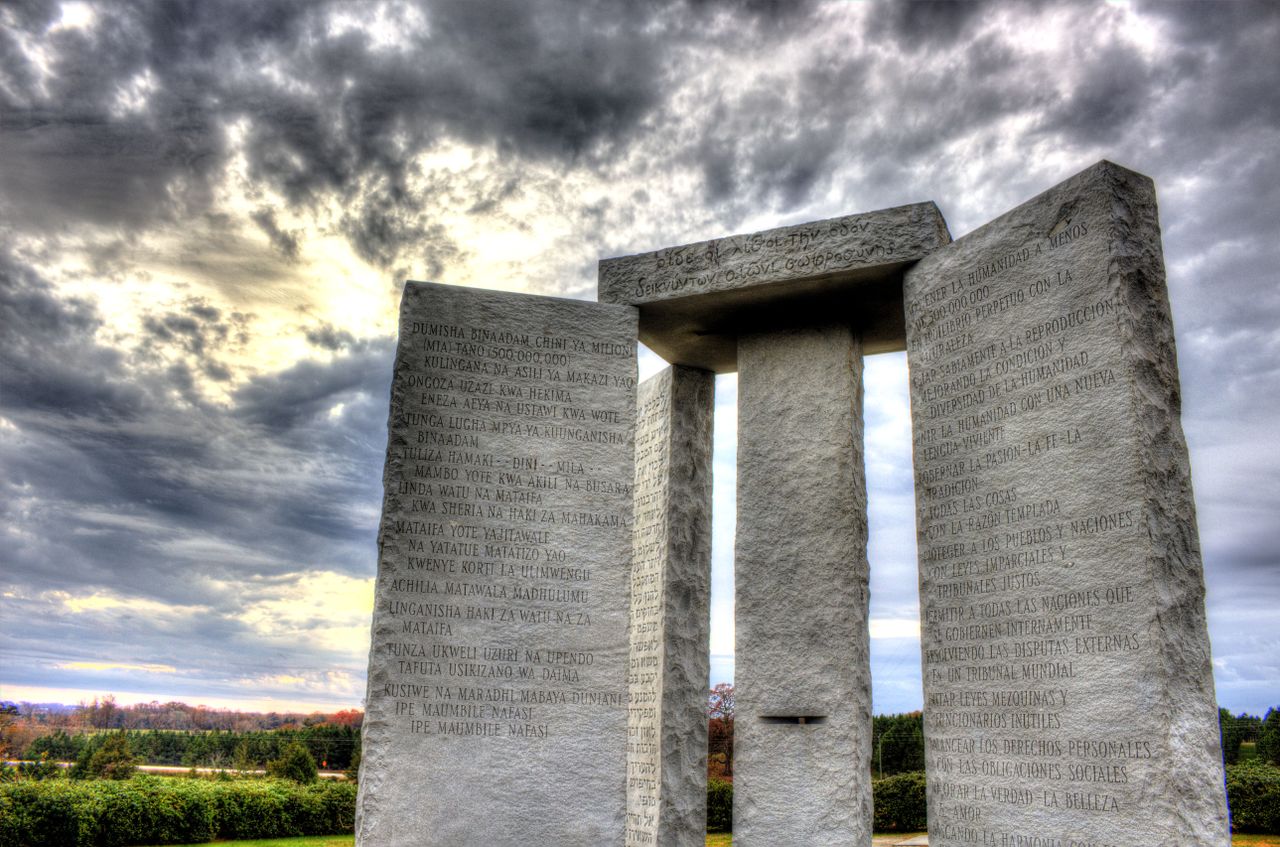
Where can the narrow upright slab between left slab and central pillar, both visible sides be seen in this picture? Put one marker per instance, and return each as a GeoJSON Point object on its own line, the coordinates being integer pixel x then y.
{"type": "Point", "coordinates": [670, 613]}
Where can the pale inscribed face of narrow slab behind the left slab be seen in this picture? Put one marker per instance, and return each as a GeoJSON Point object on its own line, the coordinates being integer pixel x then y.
{"type": "Point", "coordinates": [648, 590]}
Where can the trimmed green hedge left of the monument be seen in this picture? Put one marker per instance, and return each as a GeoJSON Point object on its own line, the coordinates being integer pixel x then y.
{"type": "Point", "coordinates": [154, 811]}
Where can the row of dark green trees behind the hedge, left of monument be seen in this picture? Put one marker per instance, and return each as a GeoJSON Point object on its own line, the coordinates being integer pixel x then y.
{"type": "Point", "coordinates": [331, 745]}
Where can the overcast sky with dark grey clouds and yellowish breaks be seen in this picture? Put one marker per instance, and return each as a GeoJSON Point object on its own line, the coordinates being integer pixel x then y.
{"type": "Point", "coordinates": [208, 210]}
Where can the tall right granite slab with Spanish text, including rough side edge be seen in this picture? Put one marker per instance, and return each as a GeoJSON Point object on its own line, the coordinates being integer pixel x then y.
{"type": "Point", "coordinates": [1069, 697]}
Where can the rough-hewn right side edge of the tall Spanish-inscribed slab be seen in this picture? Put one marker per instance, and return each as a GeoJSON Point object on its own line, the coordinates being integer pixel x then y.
{"type": "Point", "coordinates": [1194, 796]}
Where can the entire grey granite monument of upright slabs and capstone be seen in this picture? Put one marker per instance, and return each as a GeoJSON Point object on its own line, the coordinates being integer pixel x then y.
{"type": "Point", "coordinates": [538, 671]}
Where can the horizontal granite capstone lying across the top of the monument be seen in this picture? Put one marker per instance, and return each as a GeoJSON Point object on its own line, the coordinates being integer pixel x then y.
{"type": "Point", "coordinates": [697, 299]}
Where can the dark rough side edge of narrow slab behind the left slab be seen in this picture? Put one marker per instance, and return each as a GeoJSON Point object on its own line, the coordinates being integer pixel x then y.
{"type": "Point", "coordinates": [687, 611]}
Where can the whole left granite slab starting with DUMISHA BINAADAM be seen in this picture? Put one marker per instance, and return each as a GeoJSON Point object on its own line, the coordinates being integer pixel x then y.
{"type": "Point", "coordinates": [497, 679]}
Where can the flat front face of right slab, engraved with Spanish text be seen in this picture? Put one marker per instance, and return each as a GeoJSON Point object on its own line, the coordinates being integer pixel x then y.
{"type": "Point", "coordinates": [1031, 528]}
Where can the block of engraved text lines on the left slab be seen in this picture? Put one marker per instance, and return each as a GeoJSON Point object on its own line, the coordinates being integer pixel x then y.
{"type": "Point", "coordinates": [482, 525]}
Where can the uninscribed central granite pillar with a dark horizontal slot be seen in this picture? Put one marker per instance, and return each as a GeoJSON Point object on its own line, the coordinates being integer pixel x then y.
{"type": "Point", "coordinates": [803, 681]}
